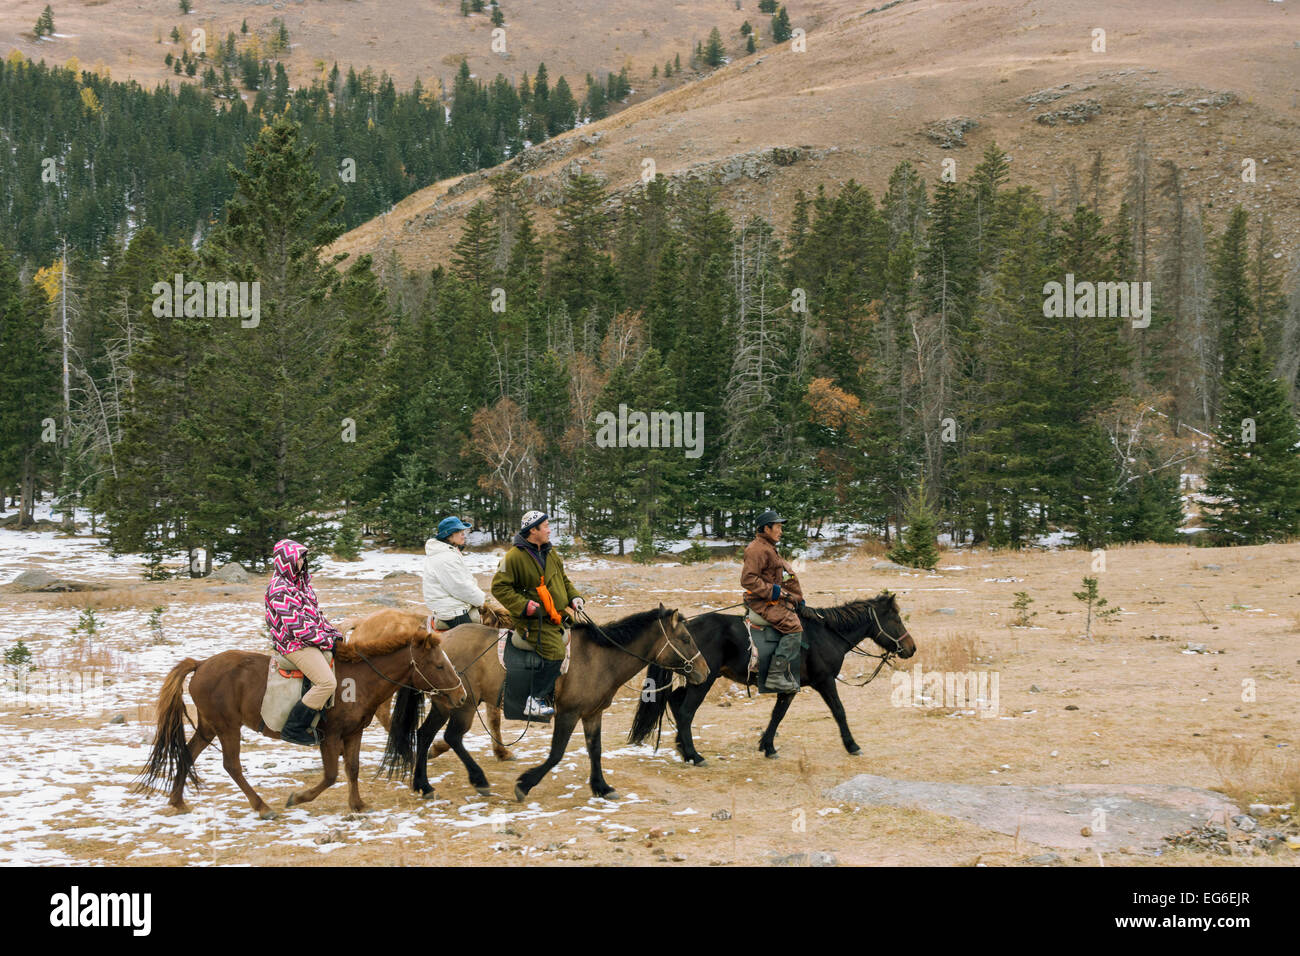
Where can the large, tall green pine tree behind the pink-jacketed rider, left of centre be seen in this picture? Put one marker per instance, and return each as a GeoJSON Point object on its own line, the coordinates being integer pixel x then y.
{"type": "Point", "coordinates": [278, 380]}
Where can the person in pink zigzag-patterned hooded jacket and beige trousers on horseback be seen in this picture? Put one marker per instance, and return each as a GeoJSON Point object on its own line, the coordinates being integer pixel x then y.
{"type": "Point", "coordinates": [301, 633]}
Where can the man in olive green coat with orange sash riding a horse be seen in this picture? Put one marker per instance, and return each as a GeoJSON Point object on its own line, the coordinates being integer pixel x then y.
{"type": "Point", "coordinates": [532, 586]}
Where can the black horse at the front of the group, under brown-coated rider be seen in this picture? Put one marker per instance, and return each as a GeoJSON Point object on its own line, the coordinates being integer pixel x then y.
{"type": "Point", "coordinates": [831, 633]}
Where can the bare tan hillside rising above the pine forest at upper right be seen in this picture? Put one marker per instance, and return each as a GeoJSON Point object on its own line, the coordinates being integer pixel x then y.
{"type": "Point", "coordinates": [1207, 84]}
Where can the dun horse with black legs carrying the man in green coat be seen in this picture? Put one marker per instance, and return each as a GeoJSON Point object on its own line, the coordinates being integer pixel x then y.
{"type": "Point", "coordinates": [601, 660]}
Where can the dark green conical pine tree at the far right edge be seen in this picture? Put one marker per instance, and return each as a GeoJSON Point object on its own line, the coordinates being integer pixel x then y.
{"type": "Point", "coordinates": [1253, 488]}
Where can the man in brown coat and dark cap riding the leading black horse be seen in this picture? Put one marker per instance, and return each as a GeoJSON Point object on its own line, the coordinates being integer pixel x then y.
{"type": "Point", "coordinates": [773, 591]}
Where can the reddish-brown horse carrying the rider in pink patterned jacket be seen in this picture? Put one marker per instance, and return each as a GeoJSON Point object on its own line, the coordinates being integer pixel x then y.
{"type": "Point", "coordinates": [389, 650]}
